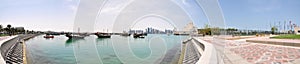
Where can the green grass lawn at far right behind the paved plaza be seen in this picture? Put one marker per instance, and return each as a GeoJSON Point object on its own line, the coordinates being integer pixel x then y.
{"type": "Point", "coordinates": [290, 36]}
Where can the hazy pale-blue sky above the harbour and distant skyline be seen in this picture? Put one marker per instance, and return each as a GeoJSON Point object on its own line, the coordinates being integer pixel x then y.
{"type": "Point", "coordinates": [59, 15]}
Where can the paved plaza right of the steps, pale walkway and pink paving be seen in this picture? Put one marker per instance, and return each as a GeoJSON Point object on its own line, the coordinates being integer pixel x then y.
{"type": "Point", "coordinates": [240, 51]}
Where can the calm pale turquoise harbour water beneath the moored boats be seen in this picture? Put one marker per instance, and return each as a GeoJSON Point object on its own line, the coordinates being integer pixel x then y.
{"type": "Point", "coordinates": [92, 50]}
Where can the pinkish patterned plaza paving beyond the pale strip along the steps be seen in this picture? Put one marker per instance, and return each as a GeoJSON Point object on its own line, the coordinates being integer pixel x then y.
{"type": "Point", "coordinates": [256, 53]}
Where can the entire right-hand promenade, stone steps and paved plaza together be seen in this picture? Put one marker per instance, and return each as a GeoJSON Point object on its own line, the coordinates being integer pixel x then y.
{"type": "Point", "coordinates": [240, 51]}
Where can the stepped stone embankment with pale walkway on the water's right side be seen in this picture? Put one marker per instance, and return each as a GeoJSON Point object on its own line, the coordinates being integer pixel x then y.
{"type": "Point", "coordinates": [198, 51]}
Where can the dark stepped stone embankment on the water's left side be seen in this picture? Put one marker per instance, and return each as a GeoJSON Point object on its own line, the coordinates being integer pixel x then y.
{"type": "Point", "coordinates": [11, 49]}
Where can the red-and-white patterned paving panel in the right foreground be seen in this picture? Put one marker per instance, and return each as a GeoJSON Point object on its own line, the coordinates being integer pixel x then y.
{"type": "Point", "coordinates": [266, 54]}
